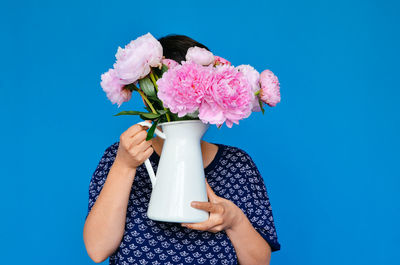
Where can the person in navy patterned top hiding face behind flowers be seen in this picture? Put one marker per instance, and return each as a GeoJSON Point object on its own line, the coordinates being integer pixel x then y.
{"type": "Point", "coordinates": [240, 229]}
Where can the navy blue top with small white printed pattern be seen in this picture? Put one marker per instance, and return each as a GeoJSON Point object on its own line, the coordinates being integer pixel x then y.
{"type": "Point", "coordinates": [232, 175]}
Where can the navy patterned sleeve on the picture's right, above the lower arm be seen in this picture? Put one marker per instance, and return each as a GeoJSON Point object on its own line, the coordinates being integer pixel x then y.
{"type": "Point", "coordinates": [257, 205]}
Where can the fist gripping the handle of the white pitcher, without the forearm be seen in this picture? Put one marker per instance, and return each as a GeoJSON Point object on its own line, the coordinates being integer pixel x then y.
{"type": "Point", "coordinates": [133, 148]}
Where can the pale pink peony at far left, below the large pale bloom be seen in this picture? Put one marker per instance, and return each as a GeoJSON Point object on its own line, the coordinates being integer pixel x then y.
{"type": "Point", "coordinates": [114, 89]}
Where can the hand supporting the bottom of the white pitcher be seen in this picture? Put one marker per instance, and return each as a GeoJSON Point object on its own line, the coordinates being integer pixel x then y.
{"type": "Point", "coordinates": [224, 214]}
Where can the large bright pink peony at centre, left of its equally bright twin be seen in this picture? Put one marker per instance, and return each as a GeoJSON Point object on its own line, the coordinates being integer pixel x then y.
{"type": "Point", "coordinates": [181, 88]}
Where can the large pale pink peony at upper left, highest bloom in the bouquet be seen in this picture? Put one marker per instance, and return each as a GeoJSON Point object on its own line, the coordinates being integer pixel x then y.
{"type": "Point", "coordinates": [134, 61]}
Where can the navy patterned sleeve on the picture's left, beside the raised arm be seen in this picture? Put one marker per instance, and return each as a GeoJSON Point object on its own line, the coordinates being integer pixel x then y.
{"type": "Point", "coordinates": [100, 174]}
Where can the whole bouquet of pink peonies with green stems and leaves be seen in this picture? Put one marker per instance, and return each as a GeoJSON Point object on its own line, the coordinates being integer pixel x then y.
{"type": "Point", "coordinates": [205, 86]}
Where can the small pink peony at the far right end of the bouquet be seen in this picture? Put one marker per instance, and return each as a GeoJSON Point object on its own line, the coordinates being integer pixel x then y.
{"type": "Point", "coordinates": [270, 90]}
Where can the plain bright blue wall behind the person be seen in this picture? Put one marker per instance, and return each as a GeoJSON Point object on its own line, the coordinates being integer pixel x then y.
{"type": "Point", "coordinates": [328, 152]}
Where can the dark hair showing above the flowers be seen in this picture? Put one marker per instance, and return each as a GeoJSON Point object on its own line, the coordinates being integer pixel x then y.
{"type": "Point", "coordinates": [175, 46]}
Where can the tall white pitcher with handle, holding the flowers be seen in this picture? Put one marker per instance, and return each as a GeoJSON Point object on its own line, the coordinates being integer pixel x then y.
{"type": "Point", "coordinates": [180, 174]}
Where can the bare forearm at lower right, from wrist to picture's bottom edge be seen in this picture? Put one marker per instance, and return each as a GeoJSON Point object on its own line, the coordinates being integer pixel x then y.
{"type": "Point", "coordinates": [250, 246]}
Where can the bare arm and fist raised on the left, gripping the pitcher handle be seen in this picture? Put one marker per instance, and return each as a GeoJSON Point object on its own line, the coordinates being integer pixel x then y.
{"type": "Point", "coordinates": [105, 224]}
